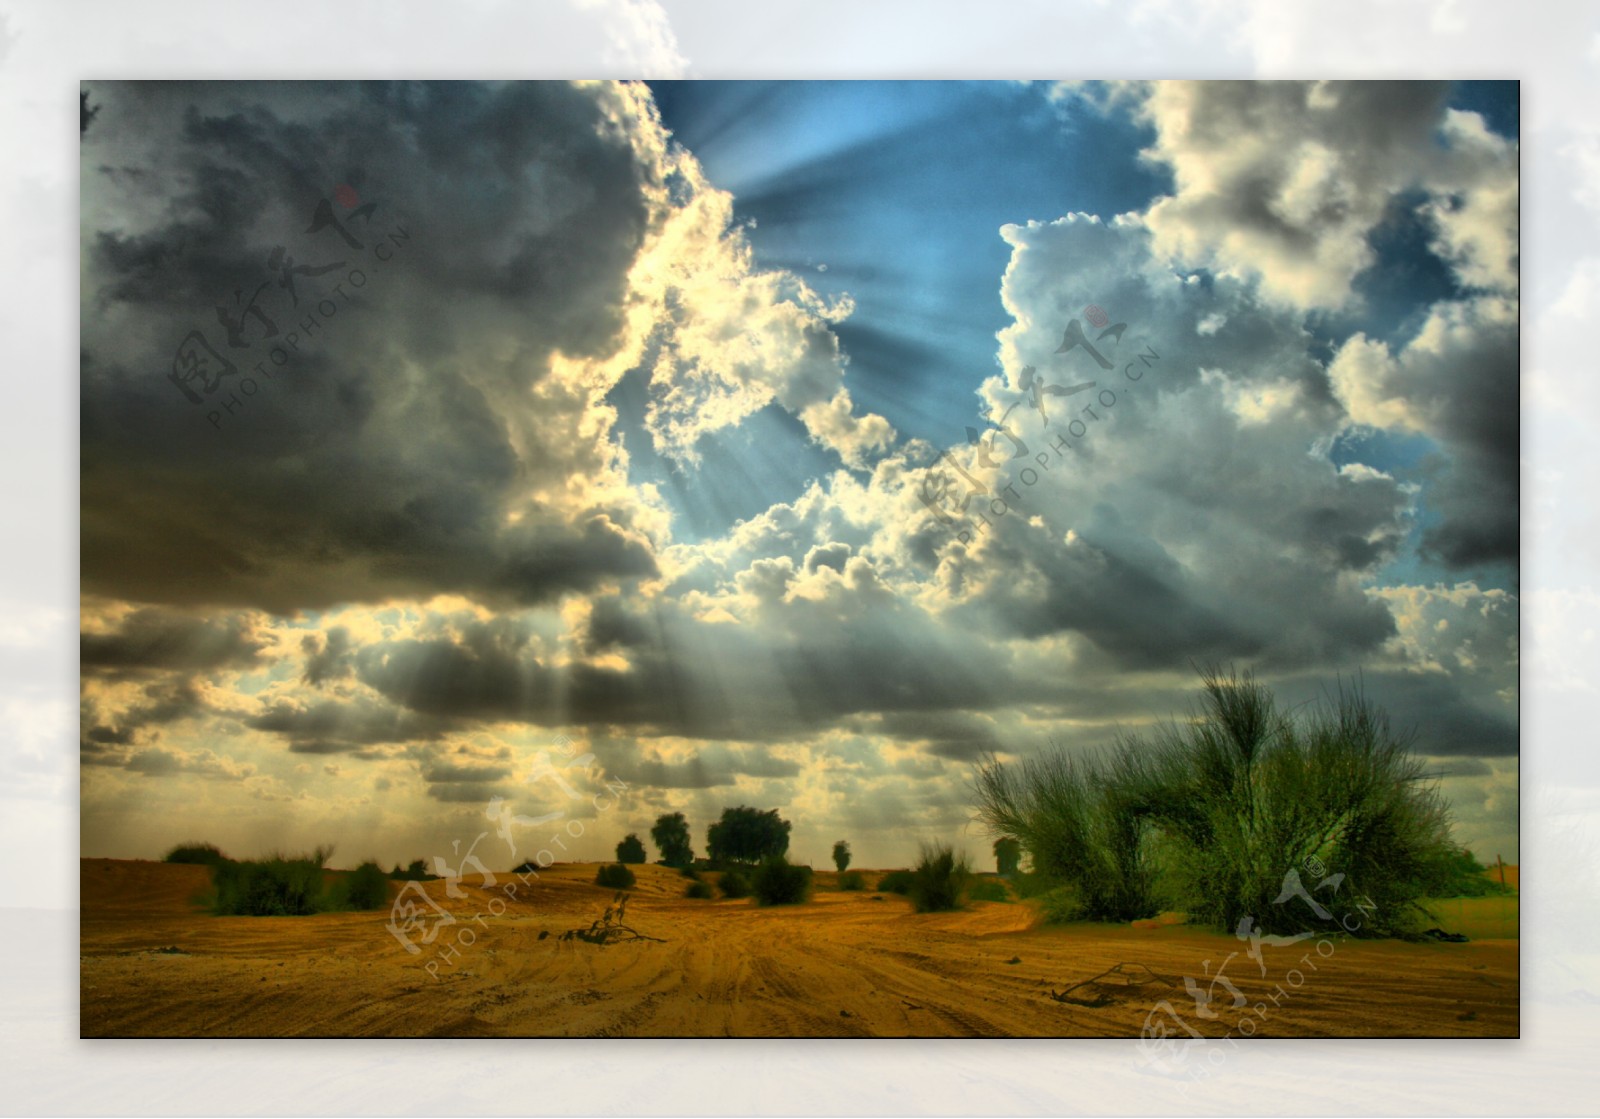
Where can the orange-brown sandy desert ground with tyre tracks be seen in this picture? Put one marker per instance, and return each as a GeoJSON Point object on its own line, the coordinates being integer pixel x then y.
{"type": "Point", "coordinates": [846, 966]}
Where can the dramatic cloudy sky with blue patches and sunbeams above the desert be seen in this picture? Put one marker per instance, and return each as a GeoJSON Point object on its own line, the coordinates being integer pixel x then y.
{"type": "Point", "coordinates": [495, 468]}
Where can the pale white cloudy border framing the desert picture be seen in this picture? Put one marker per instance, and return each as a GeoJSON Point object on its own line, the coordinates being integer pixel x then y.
{"type": "Point", "coordinates": [46, 49]}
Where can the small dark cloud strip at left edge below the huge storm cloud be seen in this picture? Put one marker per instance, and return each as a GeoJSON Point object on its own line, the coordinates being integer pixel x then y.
{"type": "Point", "coordinates": [158, 640]}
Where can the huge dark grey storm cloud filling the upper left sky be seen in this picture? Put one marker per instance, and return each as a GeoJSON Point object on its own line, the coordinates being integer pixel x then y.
{"type": "Point", "coordinates": [385, 457]}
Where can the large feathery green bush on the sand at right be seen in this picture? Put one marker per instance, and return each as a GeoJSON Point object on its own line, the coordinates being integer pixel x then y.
{"type": "Point", "coordinates": [1212, 816]}
